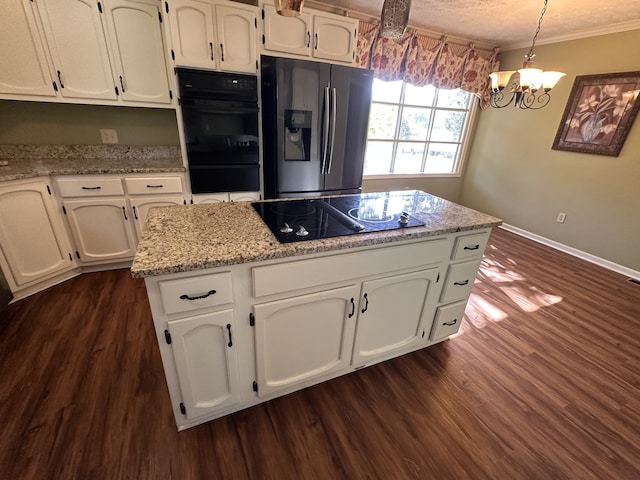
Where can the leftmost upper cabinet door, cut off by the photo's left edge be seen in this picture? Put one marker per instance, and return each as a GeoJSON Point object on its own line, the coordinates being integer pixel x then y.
{"type": "Point", "coordinates": [24, 67]}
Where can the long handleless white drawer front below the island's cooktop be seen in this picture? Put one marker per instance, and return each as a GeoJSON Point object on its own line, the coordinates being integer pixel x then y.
{"type": "Point", "coordinates": [290, 276]}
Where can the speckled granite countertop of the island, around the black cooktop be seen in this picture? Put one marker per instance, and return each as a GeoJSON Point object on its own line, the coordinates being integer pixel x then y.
{"type": "Point", "coordinates": [194, 237]}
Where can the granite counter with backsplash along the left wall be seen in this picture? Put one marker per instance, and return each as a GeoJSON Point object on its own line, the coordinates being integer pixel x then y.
{"type": "Point", "coordinates": [28, 161]}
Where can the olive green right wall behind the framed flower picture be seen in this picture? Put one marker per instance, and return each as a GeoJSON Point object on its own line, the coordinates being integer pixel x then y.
{"type": "Point", "coordinates": [512, 172]}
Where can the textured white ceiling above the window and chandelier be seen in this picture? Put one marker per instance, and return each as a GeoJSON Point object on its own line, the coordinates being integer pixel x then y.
{"type": "Point", "coordinates": [512, 23]}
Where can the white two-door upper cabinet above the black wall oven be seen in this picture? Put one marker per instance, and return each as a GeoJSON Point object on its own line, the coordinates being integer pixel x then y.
{"type": "Point", "coordinates": [213, 35]}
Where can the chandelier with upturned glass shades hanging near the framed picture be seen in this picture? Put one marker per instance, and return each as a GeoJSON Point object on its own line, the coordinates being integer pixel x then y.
{"type": "Point", "coordinates": [529, 87]}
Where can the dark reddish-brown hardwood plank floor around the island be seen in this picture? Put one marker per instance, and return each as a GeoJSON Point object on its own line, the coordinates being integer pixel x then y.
{"type": "Point", "coordinates": [543, 382]}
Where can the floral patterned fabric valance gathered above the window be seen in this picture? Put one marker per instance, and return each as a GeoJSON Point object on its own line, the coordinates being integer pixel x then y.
{"type": "Point", "coordinates": [422, 60]}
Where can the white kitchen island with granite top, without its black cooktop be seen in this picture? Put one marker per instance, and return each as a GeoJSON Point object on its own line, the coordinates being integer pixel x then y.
{"type": "Point", "coordinates": [241, 318]}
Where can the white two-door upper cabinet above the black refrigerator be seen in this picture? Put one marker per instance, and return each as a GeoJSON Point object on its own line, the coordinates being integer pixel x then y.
{"type": "Point", "coordinates": [320, 35]}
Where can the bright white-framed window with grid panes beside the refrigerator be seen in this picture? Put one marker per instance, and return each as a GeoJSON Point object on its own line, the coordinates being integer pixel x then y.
{"type": "Point", "coordinates": [416, 130]}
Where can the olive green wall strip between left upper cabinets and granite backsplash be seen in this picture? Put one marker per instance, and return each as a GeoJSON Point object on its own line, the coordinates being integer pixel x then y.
{"type": "Point", "coordinates": [35, 123]}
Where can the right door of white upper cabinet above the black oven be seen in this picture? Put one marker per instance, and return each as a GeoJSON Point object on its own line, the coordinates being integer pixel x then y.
{"type": "Point", "coordinates": [236, 30]}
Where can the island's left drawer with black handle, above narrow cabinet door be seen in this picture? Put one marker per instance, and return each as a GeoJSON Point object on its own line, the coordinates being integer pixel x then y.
{"type": "Point", "coordinates": [195, 293]}
